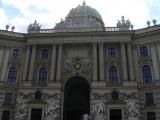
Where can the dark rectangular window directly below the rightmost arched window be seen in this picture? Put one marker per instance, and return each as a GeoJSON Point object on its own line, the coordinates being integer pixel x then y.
{"type": "Point", "coordinates": [149, 98]}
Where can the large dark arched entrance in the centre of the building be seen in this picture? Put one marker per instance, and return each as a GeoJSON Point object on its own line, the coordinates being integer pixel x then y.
{"type": "Point", "coordinates": [76, 98]}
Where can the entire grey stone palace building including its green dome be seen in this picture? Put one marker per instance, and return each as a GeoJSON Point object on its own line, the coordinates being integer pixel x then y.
{"type": "Point", "coordinates": [80, 68]}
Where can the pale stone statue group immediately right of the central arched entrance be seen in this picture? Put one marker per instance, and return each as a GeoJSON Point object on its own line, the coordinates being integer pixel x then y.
{"type": "Point", "coordinates": [98, 110]}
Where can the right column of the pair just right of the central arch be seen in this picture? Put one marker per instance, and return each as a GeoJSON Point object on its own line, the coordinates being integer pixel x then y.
{"type": "Point", "coordinates": [101, 61]}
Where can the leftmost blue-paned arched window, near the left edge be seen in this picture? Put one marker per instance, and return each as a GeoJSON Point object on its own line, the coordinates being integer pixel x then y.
{"type": "Point", "coordinates": [12, 75]}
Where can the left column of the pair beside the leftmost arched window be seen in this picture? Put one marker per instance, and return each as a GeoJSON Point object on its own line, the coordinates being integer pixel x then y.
{"type": "Point", "coordinates": [26, 63]}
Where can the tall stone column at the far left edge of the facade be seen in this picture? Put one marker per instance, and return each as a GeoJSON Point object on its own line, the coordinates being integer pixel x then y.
{"type": "Point", "coordinates": [5, 64]}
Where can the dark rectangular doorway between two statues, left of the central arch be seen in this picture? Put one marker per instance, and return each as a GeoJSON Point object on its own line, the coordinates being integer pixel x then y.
{"type": "Point", "coordinates": [36, 114]}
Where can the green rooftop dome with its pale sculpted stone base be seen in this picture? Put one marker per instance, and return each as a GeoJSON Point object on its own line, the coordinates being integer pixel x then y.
{"type": "Point", "coordinates": [82, 16]}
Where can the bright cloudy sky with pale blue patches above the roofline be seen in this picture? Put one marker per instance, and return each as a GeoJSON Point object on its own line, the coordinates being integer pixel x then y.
{"type": "Point", "coordinates": [20, 13]}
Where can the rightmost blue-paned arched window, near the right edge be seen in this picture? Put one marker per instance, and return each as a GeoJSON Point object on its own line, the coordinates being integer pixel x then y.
{"type": "Point", "coordinates": [147, 74]}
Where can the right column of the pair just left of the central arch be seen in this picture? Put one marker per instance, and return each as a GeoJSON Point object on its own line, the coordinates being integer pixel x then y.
{"type": "Point", "coordinates": [59, 62]}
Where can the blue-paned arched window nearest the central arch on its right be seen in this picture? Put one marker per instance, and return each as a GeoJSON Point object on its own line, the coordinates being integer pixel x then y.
{"type": "Point", "coordinates": [113, 74]}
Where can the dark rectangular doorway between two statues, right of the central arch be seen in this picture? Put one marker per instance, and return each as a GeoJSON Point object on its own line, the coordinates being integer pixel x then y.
{"type": "Point", "coordinates": [115, 114]}
